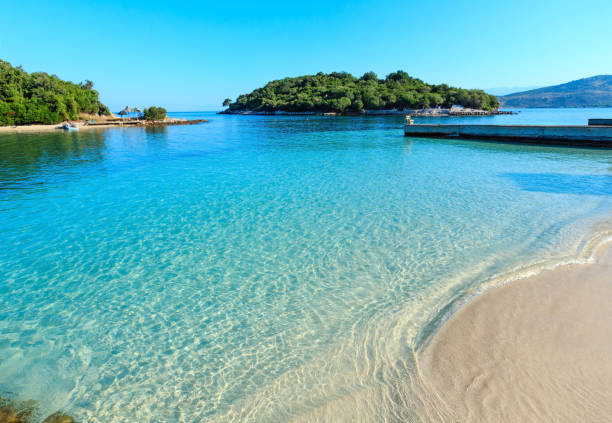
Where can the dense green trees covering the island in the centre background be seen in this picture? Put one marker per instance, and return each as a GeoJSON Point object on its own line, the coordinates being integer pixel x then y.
{"type": "Point", "coordinates": [342, 92]}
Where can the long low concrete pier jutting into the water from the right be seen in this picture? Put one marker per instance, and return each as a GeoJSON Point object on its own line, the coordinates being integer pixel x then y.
{"type": "Point", "coordinates": [588, 136]}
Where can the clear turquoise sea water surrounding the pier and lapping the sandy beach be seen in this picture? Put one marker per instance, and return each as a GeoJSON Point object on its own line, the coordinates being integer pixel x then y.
{"type": "Point", "coordinates": [265, 268]}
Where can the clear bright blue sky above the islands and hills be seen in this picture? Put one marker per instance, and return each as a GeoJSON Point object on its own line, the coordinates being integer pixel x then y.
{"type": "Point", "coordinates": [192, 55]}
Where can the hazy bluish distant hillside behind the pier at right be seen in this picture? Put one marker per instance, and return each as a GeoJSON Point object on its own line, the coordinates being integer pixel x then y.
{"type": "Point", "coordinates": [595, 91]}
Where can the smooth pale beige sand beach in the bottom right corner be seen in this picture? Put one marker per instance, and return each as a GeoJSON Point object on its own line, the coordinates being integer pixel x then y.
{"type": "Point", "coordinates": [537, 349]}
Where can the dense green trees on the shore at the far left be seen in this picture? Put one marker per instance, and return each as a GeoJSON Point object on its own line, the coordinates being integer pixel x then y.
{"type": "Point", "coordinates": [41, 98]}
